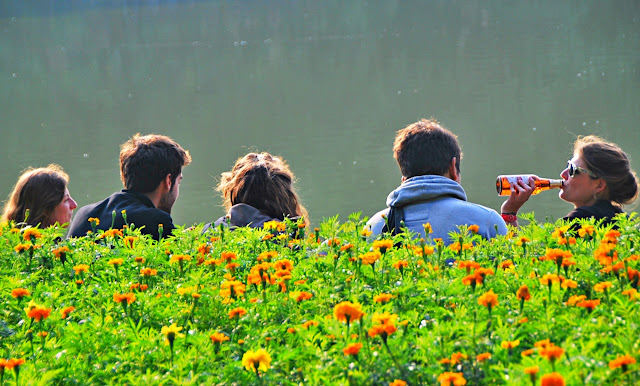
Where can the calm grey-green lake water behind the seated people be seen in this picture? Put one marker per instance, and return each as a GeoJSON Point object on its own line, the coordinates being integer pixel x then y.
{"type": "Point", "coordinates": [325, 84]}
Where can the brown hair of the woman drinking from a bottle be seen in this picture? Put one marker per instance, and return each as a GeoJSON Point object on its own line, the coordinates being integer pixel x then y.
{"type": "Point", "coordinates": [609, 162]}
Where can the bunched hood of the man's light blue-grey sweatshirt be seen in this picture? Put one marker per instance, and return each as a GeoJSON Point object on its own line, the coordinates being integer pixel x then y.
{"type": "Point", "coordinates": [413, 190]}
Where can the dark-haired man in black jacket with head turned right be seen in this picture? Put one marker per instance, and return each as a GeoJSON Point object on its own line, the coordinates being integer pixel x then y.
{"type": "Point", "coordinates": [151, 172]}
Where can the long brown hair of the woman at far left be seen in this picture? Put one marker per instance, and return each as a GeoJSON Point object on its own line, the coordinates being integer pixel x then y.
{"type": "Point", "coordinates": [38, 190]}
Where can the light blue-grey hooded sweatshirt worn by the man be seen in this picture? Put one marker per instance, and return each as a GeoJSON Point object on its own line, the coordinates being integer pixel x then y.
{"type": "Point", "coordinates": [441, 202]}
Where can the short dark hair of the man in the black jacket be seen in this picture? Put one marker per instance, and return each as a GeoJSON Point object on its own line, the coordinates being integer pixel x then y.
{"type": "Point", "coordinates": [146, 160]}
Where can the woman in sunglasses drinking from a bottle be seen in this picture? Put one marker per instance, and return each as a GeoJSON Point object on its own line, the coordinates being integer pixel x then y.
{"type": "Point", "coordinates": [598, 180]}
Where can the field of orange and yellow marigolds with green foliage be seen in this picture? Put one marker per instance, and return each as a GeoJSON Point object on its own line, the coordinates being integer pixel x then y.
{"type": "Point", "coordinates": [550, 304]}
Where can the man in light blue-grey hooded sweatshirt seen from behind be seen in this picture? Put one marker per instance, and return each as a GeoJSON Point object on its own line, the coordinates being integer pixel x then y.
{"type": "Point", "coordinates": [429, 159]}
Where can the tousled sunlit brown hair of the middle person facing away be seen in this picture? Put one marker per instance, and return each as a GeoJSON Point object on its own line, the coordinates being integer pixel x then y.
{"type": "Point", "coordinates": [266, 183]}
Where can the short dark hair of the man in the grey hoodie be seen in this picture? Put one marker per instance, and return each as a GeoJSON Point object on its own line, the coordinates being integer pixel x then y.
{"type": "Point", "coordinates": [424, 148]}
